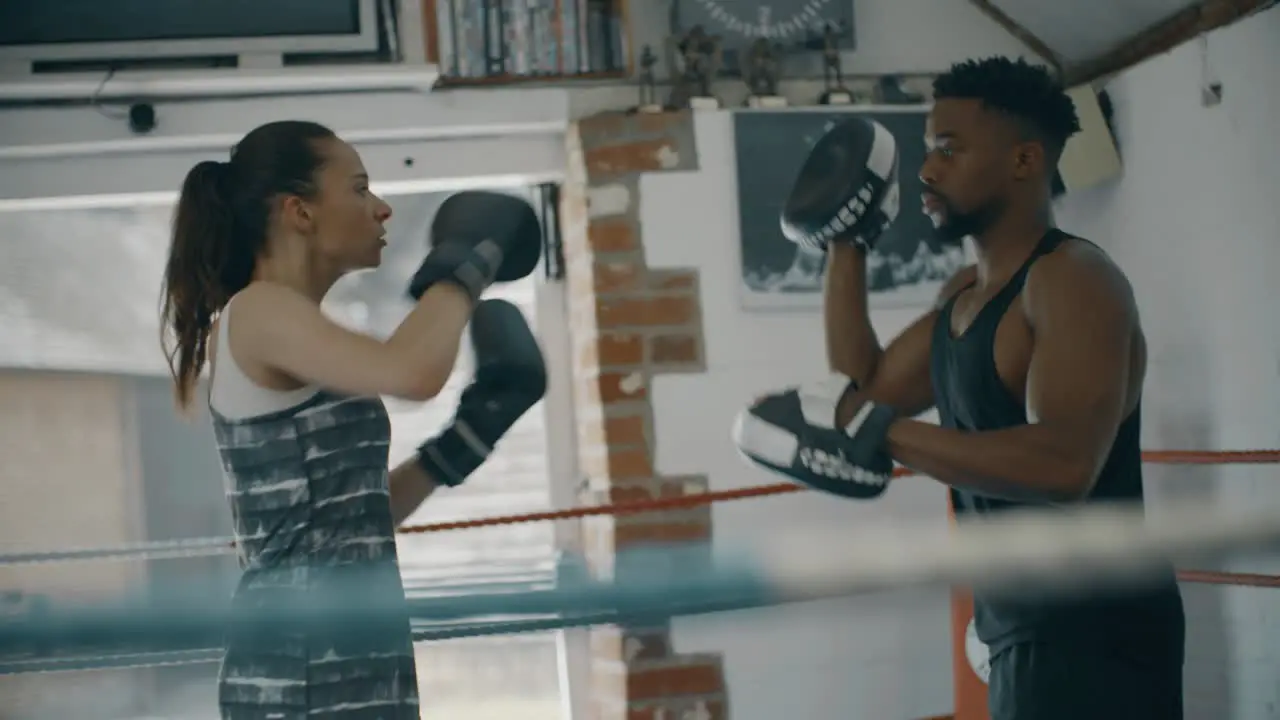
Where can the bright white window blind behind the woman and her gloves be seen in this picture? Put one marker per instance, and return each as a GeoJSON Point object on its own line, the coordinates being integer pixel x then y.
{"type": "Point", "coordinates": [80, 291]}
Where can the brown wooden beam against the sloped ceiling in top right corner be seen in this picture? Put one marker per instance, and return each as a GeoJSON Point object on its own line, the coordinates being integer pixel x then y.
{"type": "Point", "coordinates": [1197, 20]}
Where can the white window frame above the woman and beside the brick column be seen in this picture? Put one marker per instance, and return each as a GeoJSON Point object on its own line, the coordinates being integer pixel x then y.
{"type": "Point", "coordinates": [484, 140]}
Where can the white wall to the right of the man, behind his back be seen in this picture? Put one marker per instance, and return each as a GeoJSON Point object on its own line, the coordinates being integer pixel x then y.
{"type": "Point", "coordinates": [1196, 225]}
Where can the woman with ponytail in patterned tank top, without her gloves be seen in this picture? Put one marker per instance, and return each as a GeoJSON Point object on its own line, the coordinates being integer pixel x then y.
{"type": "Point", "coordinates": [258, 241]}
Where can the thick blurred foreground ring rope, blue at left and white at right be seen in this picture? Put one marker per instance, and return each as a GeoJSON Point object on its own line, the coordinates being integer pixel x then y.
{"type": "Point", "coordinates": [1059, 550]}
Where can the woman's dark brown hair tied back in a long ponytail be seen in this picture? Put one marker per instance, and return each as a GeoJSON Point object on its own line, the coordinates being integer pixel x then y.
{"type": "Point", "coordinates": [221, 229]}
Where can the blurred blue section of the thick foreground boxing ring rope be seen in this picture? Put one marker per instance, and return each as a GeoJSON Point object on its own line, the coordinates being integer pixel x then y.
{"type": "Point", "coordinates": [125, 635]}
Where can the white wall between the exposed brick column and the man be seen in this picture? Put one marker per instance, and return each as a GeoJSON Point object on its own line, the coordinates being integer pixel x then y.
{"type": "Point", "coordinates": [849, 659]}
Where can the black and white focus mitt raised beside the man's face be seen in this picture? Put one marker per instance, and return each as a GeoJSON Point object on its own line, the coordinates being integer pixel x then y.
{"type": "Point", "coordinates": [847, 190]}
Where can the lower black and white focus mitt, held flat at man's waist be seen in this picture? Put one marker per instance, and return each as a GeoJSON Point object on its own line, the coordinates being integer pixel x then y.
{"type": "Point", "coordinates": [794, 434]}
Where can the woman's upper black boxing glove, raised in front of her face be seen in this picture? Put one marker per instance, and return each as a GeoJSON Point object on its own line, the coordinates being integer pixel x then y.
{"type": "Point", "coordinates": [477, 239]}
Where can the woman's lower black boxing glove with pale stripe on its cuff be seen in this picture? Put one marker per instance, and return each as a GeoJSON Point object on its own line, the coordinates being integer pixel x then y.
{"type": "Point", "coordinates": [510, 379]}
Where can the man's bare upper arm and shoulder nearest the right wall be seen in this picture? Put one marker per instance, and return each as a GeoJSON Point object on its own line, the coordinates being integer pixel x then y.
{"type": "Point", "coordinates": [1084, 321]}
